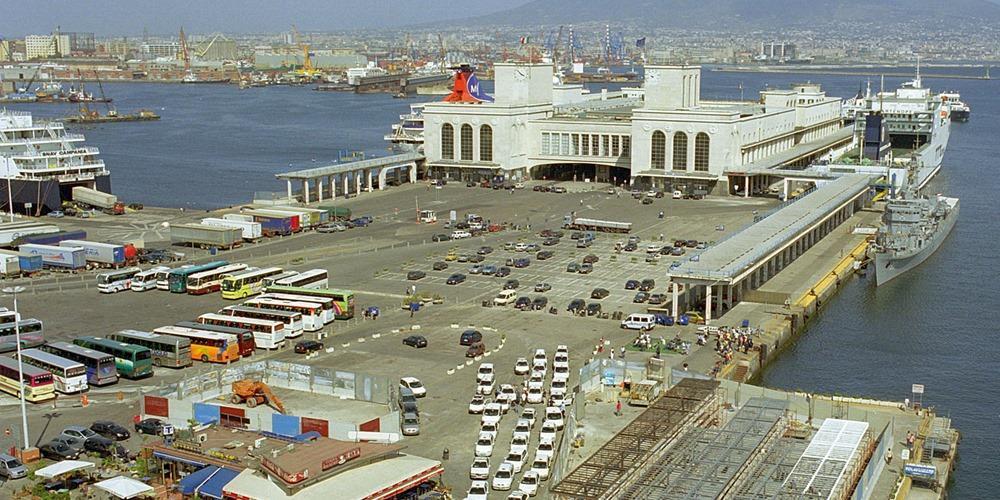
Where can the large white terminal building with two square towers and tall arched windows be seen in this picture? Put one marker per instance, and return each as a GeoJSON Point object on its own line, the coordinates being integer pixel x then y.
{"type": "Point", "coordinates": [663, 135]}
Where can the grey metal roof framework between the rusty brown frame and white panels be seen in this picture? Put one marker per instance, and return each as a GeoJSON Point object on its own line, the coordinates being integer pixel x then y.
{"type": "Point", "coordinates": [705, 463]}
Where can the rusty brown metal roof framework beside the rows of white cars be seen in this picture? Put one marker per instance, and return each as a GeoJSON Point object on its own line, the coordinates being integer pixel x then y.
{"type": "Point", "coordinates": [608, 468]}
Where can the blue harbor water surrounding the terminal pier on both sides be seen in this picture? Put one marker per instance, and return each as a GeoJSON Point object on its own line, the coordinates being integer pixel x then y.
{"type": "Point", "coordinates": [216, 145]}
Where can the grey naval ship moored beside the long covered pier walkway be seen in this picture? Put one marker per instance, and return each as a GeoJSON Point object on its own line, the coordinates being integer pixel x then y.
{"type": "Point", "coordinates": [913, 228]}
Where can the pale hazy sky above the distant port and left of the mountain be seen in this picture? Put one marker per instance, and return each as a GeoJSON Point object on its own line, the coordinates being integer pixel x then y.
{"type": "Point", "coordinates": [111, 17]}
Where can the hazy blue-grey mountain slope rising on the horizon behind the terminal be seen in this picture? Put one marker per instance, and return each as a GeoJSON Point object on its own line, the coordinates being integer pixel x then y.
{"type": "Point", "coordinates": [747, 14]}
